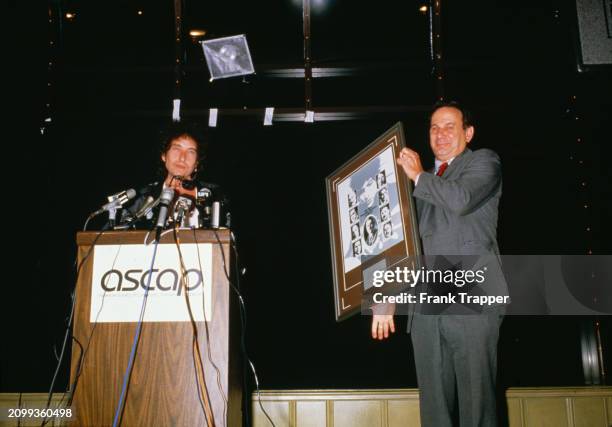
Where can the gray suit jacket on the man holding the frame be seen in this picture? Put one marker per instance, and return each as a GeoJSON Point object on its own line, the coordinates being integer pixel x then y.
{"type": "Point", "coordinates": [457, 215]}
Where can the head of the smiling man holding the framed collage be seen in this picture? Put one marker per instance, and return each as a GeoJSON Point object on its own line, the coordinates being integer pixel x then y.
{"type": "Point", "coordinates": [447, 136]}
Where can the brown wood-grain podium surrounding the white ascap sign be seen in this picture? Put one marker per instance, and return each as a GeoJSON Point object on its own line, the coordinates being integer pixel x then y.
{"type": "Point", "coordinates": [163, 389]}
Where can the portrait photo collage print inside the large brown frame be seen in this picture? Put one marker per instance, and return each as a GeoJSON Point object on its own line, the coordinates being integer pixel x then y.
{"type": "Point", "coordinates": [369, 210]}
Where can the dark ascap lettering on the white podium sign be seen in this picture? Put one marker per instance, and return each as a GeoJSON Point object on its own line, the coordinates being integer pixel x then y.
{"type": "Point", "coordinates": [165, 280]}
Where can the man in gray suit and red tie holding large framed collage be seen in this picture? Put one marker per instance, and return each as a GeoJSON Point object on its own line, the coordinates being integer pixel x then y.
{"type": "Point", "coordinates": [457, 206]}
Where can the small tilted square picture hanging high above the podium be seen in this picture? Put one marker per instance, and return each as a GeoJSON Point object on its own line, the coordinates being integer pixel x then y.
{"type": "Point", "coordinates": [228, 57]}
